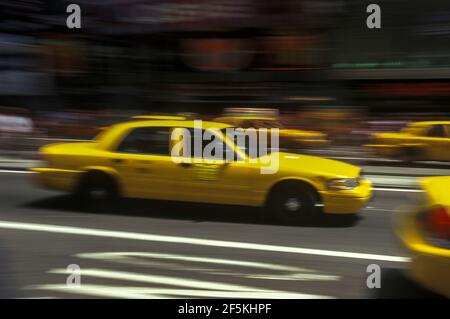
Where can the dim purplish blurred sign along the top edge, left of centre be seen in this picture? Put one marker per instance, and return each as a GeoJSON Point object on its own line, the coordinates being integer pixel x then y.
{"type": "Point", "coordinates": [140, 16]}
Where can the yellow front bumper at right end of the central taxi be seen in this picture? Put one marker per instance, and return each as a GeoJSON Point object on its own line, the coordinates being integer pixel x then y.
{"type": "Point", "coordinates": [347, 201]}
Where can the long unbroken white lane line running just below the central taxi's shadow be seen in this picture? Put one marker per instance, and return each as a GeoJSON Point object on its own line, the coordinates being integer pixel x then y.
{"type": "Point", "coordinates": [194, 241]}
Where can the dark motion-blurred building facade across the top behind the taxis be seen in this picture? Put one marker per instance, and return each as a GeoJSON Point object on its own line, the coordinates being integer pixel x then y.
{"type": "Point", "coordinates": [204, 55]}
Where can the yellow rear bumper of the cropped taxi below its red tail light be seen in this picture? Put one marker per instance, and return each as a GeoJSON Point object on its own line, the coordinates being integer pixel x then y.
{"type": "Point", "coordinates": [430, 265]}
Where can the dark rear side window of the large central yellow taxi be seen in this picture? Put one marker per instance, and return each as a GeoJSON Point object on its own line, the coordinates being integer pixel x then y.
{"type": "Point", "coordinates": [146, 140]}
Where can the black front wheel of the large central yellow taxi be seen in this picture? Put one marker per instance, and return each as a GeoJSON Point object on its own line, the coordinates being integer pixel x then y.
{"type": "Point", "coordinates": [293, 203]}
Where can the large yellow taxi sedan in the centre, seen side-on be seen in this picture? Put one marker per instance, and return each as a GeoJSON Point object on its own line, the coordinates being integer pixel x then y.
{"type": "Point", "coordinates": [134, 159]}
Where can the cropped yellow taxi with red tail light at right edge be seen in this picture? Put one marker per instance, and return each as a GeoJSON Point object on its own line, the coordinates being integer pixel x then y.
{"type": "Point", "coordinates": [425, 231]}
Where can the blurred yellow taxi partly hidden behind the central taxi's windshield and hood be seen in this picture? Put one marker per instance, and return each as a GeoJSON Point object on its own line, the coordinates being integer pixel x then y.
{"type": "Point", "coordinates": [289, 138]}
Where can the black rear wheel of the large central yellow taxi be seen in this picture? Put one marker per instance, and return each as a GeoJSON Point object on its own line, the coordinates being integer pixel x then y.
{"type": "Point", "coordinates": [98, 190]}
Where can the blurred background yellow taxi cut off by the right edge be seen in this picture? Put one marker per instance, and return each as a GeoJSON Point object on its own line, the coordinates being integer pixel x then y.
{"type": "Point", "coordinates": [429, 140]}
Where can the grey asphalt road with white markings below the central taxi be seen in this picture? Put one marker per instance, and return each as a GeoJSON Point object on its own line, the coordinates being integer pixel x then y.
{"type": "Point", "coordinates": [150, 249]}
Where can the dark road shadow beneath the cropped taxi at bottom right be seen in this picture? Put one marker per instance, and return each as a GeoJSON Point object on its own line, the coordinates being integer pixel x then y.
{"type": "Point", "coordinates": [395, 284]}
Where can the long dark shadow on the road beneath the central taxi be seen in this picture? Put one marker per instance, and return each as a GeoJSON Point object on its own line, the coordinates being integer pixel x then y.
{"type": "Point", "coordinates": [185, 211]}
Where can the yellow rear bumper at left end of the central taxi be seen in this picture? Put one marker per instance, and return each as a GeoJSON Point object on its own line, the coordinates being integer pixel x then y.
{"type": "Point", "coordinates": [55, 179]}
